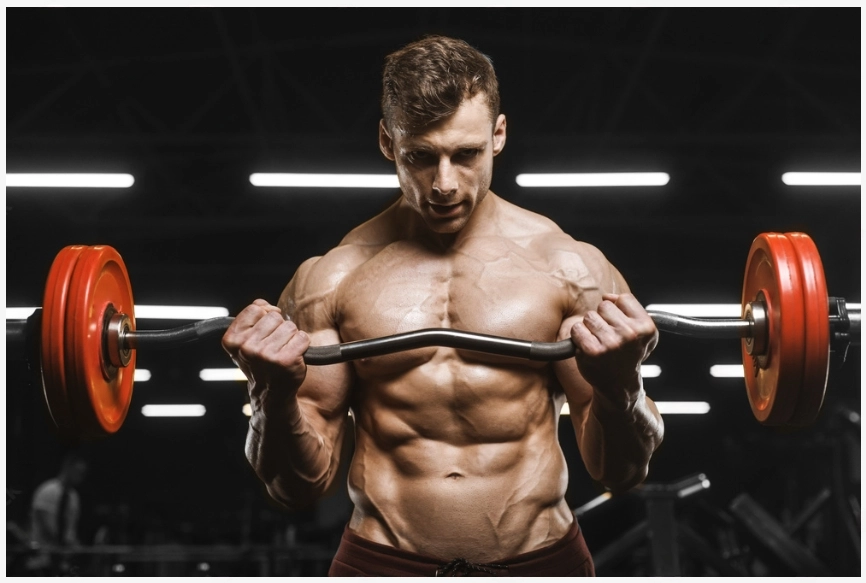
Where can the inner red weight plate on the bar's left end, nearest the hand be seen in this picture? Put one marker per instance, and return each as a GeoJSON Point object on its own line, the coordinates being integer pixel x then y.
{"type": "Point", "coordinates": [99, 394]}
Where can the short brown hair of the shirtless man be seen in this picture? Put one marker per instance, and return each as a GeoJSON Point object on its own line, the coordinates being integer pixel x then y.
{"type": "Point", "coordinates": [427, 80]}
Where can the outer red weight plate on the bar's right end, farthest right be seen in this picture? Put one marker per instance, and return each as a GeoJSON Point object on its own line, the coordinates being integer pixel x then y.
{"type": "Point", "coordinates": [816, 359]}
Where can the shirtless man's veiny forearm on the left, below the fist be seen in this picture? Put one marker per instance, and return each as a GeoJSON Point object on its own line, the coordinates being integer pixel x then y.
{"type": "Point", "coordinates": [294, 461]}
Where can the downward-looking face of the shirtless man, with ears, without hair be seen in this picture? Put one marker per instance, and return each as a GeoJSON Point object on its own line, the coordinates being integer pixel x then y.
{"type": "Point", "coordinates": [445, 169]}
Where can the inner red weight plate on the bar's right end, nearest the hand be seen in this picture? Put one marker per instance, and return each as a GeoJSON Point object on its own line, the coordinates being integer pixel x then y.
{"type": "Point", "coordinates": [773, 381]}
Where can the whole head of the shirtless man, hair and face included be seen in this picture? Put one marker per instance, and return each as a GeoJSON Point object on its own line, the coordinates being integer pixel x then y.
{"type": "Point", "coordinates": [442, 128]}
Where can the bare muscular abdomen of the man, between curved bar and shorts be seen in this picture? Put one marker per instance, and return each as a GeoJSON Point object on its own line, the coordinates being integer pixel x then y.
{"type": "Point", "coordinates": [450, 469]}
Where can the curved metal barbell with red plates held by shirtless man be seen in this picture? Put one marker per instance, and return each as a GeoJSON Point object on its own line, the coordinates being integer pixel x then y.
{"type": "Point", "coordinates": [87, 340]}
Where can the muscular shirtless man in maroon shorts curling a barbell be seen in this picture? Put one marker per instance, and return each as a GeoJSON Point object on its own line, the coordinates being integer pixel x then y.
{"type": "Point", "coordinates": [457, 467]}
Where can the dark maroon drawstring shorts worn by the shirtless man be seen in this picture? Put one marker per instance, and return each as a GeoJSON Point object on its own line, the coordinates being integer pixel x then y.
{"type": "Point", "coordinates": [359, 557]}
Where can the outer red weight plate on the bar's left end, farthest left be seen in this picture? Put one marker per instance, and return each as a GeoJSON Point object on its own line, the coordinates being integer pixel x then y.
{"type": "Point", "coordinates": [52, 351]}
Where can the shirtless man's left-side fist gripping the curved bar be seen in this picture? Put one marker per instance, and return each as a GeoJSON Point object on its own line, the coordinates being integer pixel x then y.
{"type": "Point", "coordinates": [269, 349]}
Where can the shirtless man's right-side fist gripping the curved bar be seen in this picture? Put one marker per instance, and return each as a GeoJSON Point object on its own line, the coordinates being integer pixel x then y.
{"type": "Point", "coordinates": [612, 341]}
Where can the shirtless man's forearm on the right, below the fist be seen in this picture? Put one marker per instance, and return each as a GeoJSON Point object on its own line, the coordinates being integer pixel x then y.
{"type": "Point", "coordinates": [619, 439]}
